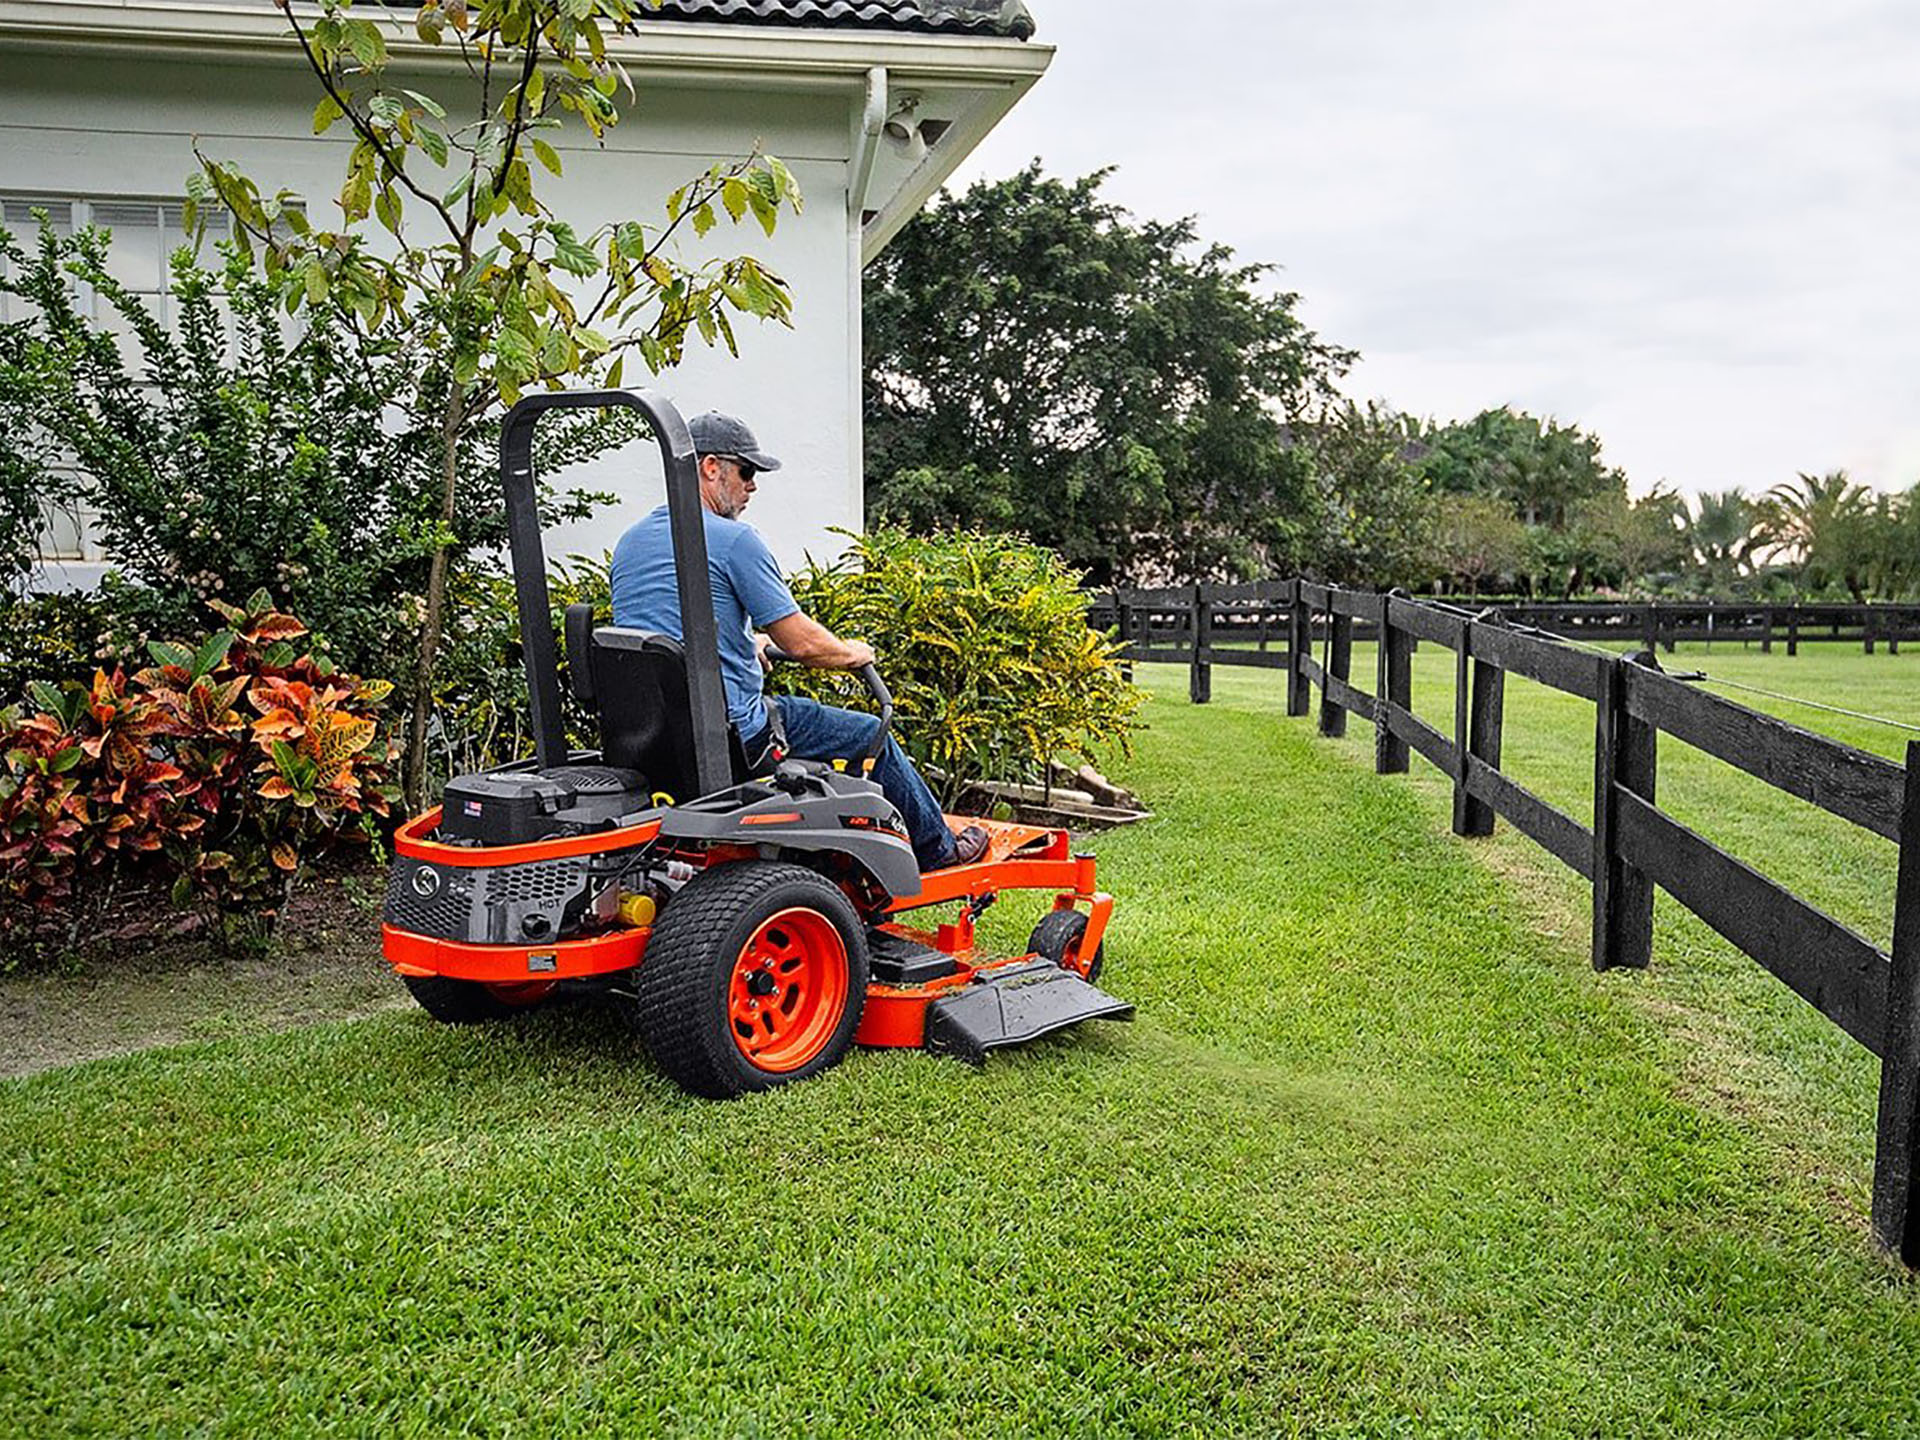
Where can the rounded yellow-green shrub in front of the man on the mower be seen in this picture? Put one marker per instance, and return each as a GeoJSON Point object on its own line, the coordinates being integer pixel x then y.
{"type": "Point", "coordinates": [984, 644]}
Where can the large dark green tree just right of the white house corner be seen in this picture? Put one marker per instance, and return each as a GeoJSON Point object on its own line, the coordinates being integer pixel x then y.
{"type": "Point", "coordinates": [1036, 358]}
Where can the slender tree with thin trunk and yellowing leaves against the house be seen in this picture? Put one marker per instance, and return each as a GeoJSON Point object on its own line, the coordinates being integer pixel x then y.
{"type": "Point", "coordinates": [491, 289]}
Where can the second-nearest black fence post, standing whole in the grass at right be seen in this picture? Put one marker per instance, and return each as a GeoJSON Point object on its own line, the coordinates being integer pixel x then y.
{"type": "Point", "coordinates": [1627, 757]}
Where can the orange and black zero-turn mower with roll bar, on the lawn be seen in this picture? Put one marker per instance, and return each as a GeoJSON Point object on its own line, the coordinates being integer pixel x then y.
{"type": "Point", "coordinates": [754, 932]}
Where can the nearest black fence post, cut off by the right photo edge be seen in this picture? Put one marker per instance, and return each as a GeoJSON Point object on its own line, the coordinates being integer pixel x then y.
{"type": "Point", "coordinates": [1898, 1140]}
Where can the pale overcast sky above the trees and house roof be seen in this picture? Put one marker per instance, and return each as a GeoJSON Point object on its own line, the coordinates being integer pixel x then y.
{"type": "Point", "coordinates": [1689, 228]}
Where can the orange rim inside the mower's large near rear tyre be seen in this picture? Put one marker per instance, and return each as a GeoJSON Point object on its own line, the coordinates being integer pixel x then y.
{"type": "Point", "coordinates": [788, 994]}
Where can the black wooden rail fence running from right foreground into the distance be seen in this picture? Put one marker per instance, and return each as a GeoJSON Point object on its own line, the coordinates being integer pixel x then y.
{"type": "Point", "coordinates": [1633, 846]}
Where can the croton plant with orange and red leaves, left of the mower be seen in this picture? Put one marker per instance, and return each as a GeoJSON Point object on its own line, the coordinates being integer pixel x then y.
{"type": "Point", "coordinates": [224, 769]}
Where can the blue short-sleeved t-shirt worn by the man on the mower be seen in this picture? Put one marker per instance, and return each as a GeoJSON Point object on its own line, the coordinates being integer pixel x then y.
{"type": "Point", "coordinates": [750, 594]}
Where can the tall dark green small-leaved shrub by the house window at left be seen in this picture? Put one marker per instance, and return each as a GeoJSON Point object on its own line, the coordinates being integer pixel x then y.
{"type": "Point", "coordinates": [308, 466]}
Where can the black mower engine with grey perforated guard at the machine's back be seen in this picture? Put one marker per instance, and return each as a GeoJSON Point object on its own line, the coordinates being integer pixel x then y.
{"type": "Point", "coordinates": [533, 901]}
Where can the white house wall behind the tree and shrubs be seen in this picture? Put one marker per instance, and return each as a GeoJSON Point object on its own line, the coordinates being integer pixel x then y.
{"type": "Point", "coordinates": [108, 128]}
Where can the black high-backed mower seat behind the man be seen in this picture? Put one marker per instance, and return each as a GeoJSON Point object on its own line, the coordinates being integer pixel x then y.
{"type": "Point", "coordinates": [638, 684]}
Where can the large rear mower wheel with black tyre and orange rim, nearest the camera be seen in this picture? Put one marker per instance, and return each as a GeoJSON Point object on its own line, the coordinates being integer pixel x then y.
{"type": "Point", "coordinates": [756, 976]}
